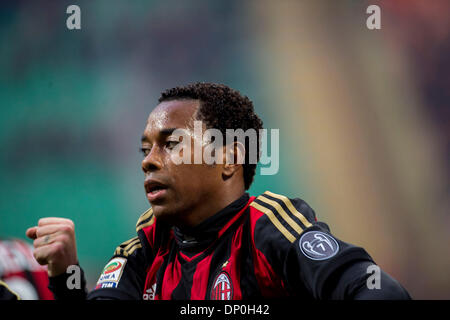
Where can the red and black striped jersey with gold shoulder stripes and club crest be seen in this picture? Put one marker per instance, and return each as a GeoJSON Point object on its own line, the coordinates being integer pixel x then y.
{"type": "Point", "coordinates": [268, 246]}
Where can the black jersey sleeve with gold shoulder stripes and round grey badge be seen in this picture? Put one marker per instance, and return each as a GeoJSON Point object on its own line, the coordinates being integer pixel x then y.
{"type": "Point", "coordinates": [301, 249]}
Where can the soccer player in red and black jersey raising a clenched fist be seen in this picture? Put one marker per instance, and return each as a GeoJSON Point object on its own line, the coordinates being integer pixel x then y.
{"type": "Point", "coordinates": [204, 237]}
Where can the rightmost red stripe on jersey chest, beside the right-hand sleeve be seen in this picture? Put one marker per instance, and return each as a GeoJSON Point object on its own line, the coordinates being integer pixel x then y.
{"type": "Point", "coordinates": [269, 282]}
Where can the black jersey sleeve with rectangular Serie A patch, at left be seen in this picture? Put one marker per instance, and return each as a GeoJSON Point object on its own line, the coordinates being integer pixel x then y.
{"type": "Point", "coordinates": [123, 277]}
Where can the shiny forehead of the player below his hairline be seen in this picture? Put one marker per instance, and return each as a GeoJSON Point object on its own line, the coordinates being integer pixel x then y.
{"type": "Point", "coordinates": [171, 114]}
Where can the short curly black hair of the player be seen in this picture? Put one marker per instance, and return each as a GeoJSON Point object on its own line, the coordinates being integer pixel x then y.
{"type": "Point", "coordinates": [222, 108]}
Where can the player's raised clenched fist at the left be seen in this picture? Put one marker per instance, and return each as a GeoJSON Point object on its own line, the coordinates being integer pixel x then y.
{"type": "Point", "coordinates": [54, 243]}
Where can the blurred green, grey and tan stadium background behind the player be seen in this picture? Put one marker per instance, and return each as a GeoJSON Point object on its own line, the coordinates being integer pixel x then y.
{"type": "Point", "coordinates": [363, 115]}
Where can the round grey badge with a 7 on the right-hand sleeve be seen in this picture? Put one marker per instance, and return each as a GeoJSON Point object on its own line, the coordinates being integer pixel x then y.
{"type": "Point", "coordinates": [318, 245]}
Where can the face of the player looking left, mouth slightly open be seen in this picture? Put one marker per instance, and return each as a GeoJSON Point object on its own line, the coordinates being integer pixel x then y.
{"type": "Point", "coordinates": [175, 191]}
